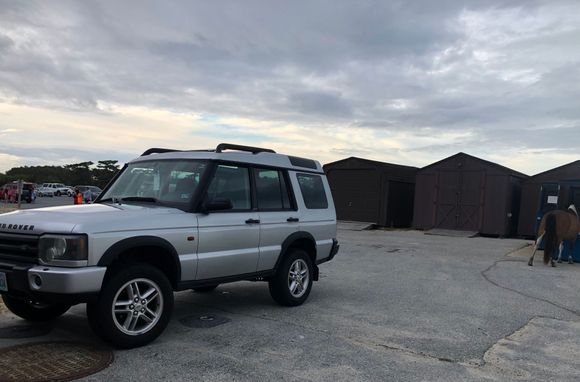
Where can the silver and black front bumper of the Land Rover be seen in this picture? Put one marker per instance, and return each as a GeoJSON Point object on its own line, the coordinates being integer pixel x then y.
{"type": "Point", "coordinates": [44, 282]}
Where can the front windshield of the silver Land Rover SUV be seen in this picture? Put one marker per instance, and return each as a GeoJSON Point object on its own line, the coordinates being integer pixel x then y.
{"type": "Point", "coordinates": [168, 182]}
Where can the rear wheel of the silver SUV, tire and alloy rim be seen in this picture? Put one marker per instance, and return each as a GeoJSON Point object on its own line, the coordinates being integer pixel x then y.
{"type": "Point", "coordinates": [292, 283]}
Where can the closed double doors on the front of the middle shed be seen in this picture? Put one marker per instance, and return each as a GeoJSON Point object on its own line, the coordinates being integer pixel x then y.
{"type": "Point", "coordinates": [460, 200]}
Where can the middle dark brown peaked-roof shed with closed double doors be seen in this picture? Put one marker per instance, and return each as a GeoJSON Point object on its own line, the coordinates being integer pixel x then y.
{"type": "Point", "coordinates": [466, 193]}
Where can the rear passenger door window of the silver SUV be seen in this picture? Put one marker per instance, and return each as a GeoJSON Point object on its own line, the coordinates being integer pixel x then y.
{"type": "Point", "coordinates": [271, 190]}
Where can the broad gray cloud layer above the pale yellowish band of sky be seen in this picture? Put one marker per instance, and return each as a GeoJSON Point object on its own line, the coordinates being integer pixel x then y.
{"type": "Point", "coordinates": [386, 66]}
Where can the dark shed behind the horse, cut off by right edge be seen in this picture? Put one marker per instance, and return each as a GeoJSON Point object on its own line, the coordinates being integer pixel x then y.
{"type": "Point", "coordinates": [556, 188]}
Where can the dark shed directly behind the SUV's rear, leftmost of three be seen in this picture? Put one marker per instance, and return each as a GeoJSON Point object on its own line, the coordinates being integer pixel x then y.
{"type": "Point", "coordinates": [370, 191]}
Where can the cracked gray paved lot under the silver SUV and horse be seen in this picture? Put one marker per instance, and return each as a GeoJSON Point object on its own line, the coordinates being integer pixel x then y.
{"type": "Point", "coordinates": [393, 305]}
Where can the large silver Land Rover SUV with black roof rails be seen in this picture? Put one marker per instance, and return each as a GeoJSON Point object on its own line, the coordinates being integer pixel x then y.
{"type": "Point", "coordinates": [170, 221]}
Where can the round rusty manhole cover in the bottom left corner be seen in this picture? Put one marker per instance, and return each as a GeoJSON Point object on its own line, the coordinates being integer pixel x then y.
{"type": "Point", "coordinates": [51, 361]}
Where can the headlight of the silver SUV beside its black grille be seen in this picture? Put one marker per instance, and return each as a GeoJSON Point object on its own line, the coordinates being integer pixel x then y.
{"type": "Point", "coordinates": [63, 250]}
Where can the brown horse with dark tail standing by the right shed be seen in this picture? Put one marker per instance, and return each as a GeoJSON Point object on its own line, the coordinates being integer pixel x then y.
{"type": "Point", "coordinates": [555, 227]}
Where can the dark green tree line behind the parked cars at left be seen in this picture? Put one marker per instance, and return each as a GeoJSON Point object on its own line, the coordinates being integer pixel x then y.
{"type": "Point", "coordinates": [84, 173]}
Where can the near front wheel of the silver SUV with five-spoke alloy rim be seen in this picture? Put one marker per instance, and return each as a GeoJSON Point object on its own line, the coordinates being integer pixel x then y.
{"type": "Point", "coordinates": [133, 323]}
